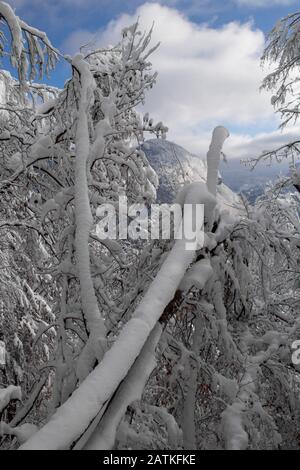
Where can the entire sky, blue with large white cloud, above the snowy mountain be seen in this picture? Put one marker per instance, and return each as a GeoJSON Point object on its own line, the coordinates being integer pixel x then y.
{"type": "Point", "coordinates": [208, 62]}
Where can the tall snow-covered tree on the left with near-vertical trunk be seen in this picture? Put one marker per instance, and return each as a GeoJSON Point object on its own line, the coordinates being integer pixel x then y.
{"type": "Point", "coordinates": [69, 154]}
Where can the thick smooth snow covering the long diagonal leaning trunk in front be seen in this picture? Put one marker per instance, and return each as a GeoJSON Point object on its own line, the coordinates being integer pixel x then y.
{"type": "Point", "coordinates": [65, 426]}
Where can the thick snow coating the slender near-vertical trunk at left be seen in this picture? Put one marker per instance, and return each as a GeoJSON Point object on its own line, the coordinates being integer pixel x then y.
{"type": "Point", "coordinates": [83, 217]}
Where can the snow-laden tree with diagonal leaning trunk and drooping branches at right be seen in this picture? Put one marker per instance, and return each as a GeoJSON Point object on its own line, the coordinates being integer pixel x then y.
{"type": "Point", "coordinates": [224, 377]}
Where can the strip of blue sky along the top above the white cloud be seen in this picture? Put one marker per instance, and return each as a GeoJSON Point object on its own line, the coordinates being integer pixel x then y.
{"type": "Point", "coordinates": [59, 18]}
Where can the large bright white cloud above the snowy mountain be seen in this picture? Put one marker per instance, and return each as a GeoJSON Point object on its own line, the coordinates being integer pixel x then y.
{"type": "Point", "coordinates": [206, 77]}
